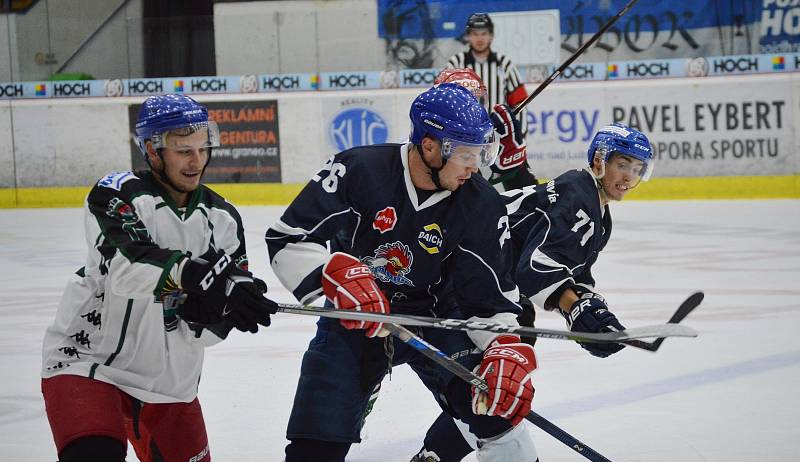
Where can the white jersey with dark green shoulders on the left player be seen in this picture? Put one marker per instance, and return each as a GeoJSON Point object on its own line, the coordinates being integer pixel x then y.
{"type": "Point", "coordinates": [111, 324]}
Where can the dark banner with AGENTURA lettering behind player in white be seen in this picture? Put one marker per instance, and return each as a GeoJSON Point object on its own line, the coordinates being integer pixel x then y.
{"type": "Point", "coordinates": [250, 143]}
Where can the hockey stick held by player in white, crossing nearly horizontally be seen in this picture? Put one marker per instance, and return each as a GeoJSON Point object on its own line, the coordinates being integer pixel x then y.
{"type": "Point", "coordinates": [660, 330]}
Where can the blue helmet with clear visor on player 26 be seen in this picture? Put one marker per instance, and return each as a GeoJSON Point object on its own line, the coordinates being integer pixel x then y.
{"type": "Point", "coordinates": [450, 114]}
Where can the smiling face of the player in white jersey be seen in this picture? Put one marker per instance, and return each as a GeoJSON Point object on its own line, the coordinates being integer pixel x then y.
{"type": "Point", "coordinates": [183, 162]}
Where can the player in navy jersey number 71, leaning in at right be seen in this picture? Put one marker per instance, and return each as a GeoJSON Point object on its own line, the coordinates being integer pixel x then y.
{"type": "Point", "coordinates": [558, 230]}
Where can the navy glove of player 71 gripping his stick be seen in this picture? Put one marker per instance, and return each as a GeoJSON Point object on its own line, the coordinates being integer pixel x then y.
{"type": "Point", "coordinates": [590, 314]}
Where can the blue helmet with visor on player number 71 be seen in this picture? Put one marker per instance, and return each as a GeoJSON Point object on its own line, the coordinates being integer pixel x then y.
{"type": "Point", "coordinates": [621, 139]}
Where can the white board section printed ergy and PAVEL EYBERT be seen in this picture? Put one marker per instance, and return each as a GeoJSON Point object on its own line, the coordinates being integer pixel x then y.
{"type": "Point", "coordinates": [718, 127]}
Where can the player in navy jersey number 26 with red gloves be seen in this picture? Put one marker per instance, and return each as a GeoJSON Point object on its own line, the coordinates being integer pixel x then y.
{"type": "Point", "coordinates": [410, 219]}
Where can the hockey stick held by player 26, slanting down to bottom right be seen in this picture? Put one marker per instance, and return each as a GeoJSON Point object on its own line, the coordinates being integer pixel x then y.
{"type": "Point", "coordinates": [437, 356]}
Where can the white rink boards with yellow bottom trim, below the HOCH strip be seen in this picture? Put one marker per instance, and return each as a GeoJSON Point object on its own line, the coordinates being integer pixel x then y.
{"type": "Point", "coordinates": [715, 137]}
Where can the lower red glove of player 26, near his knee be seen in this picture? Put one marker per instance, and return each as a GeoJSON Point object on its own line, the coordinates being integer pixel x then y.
{"type": "Point", "coordinates": [506, 367]}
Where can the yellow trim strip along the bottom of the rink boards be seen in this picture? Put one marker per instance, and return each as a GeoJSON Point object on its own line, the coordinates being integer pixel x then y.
{"type": "Point", "coordinates": [719, 187]}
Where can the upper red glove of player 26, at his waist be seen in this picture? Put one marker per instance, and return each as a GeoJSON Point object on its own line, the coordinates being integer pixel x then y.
{"type": "Point", "coordinates": [349, 284]}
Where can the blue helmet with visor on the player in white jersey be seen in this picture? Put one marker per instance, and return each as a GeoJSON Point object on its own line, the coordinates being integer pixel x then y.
{"type": "Point", "coordinates": [162, 114]}
